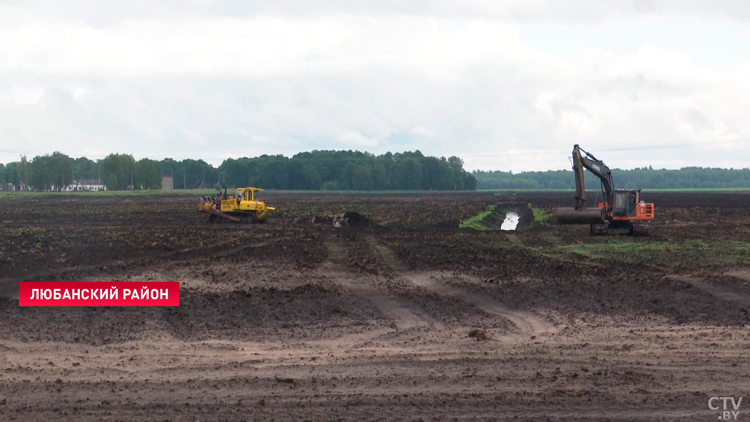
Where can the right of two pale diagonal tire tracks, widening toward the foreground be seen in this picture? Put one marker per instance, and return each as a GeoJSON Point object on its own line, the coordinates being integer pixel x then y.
{"type": "Point", "coordinates": [527, 324]}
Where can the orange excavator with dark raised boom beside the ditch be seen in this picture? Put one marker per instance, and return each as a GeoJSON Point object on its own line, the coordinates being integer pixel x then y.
{"type": "Point", "coordinates": [619, 208]}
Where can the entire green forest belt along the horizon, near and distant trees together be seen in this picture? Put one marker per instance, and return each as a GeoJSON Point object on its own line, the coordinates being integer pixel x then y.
{"type": "Point", "coordinates": [335, 170]}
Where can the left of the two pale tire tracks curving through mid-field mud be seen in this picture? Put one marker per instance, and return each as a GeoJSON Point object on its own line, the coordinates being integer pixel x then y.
{"type": "Point", "coordinates": [389, 306]}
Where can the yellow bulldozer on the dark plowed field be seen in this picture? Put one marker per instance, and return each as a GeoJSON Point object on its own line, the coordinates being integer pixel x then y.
{"type": "Point", "coordinates": [242, 207]}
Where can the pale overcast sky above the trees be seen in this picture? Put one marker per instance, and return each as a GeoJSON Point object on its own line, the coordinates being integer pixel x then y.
{"type": "Point", "coordinates": [507, 85]}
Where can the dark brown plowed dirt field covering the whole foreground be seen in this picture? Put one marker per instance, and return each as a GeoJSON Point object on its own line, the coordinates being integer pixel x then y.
{"type": "Point", "coordinates": [299, 320]}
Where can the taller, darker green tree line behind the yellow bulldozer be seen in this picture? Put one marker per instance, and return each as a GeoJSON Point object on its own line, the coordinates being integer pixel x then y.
{"type": "Point", "coordinates": [316, 170]}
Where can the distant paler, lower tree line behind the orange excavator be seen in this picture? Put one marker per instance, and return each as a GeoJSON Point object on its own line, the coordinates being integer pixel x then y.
{"type": "Point", "coordinates": [645, 177]}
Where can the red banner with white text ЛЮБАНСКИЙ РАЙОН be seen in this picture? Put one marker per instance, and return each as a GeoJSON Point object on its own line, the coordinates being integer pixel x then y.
{"type": "Point", "coordinates": [99, 293]}
